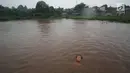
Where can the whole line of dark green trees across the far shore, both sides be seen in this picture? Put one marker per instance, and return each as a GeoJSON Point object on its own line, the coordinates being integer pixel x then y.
{"type": "Point", "coordinates": [43, 10]}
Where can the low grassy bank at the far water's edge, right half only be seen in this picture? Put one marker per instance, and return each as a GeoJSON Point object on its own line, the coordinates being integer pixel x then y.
{"type": "Point", "coordinates": [124, 19]}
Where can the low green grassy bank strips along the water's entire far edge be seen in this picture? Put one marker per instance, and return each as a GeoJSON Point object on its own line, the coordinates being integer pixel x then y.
{"type": "Point", "coordinates": [124, 19]}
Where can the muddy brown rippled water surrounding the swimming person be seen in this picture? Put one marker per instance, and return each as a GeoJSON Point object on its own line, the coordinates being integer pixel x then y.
{"type": "Point", "coordinates": [50, 46]}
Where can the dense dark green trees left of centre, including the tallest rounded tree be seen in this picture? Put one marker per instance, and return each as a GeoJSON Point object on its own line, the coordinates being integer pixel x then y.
{"type": "Point", "coordinates": [42, 10]}
